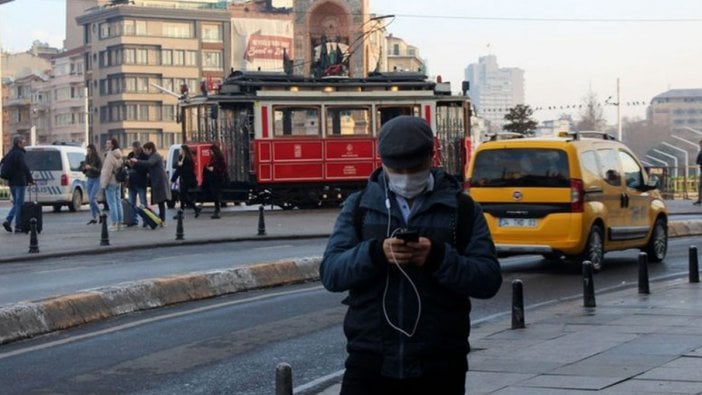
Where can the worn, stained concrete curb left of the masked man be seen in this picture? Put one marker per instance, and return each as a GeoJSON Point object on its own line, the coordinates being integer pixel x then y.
{"type": "Point", "coordinates": [28, 319]}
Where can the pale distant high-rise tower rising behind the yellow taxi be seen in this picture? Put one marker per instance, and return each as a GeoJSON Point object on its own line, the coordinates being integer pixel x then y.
{"type": "Point", "coordinates": [494, 90]}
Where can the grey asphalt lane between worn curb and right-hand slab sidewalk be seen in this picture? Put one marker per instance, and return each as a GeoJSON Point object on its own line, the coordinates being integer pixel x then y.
{"type": "Point", "coordinates": [232, 344]}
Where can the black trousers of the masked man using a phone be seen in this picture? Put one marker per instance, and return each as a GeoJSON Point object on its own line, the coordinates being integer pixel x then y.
{"type": "Point", "coordinates": [362, 378]}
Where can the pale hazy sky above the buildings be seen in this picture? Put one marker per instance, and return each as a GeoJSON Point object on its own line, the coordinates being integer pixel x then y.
{"type": "Point", "coordinates": [565, 47]}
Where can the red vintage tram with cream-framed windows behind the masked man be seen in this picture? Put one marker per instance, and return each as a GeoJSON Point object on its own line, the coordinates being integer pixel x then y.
{"type": "Point", "coordinates": [301, 142]}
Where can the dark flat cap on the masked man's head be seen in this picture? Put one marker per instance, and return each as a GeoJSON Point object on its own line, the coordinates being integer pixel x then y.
{"type": "Point", "coordinates": [405, 142]}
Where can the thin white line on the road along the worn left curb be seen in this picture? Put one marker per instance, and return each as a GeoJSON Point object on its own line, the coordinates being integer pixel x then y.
{"type": "Point", "coordinates": [150, 320]}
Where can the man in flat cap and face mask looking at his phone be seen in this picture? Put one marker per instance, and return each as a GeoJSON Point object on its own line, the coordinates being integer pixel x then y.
{"type": "Point", "coordinates": [411, 249]}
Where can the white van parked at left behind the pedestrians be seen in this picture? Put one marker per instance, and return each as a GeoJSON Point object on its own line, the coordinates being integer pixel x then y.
{"type": "Point", "coordinates": [56, 172]}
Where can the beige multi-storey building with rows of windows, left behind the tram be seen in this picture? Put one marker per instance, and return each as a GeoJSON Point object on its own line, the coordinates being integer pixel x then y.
{"type": "Point", "coordinates": [141, 55]}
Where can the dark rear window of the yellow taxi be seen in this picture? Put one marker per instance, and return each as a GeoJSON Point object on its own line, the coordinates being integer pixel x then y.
{"type": "Point", "coordinates": [529, 167]}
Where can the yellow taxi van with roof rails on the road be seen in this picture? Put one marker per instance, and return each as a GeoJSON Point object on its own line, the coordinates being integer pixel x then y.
{"type": "Point", "coordinates": [576, 196]}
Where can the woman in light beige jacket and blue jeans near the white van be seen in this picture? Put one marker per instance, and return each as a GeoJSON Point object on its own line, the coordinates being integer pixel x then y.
{"type": "Point", "coordinates": [108, 182]}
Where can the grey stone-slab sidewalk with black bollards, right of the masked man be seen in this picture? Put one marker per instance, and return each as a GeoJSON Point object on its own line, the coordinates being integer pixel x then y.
{"type": "Point", "coordinates": [628, 344]}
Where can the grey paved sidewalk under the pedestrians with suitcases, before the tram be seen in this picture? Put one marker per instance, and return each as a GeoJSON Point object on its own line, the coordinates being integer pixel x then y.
{"type": "Point", "coordinates": [66, 233]}
